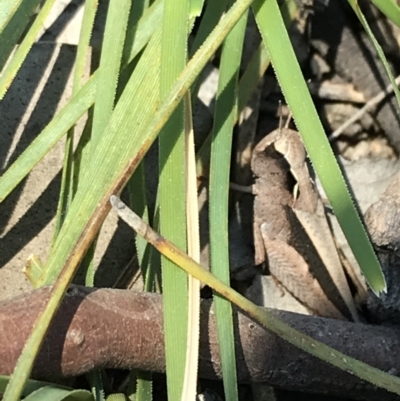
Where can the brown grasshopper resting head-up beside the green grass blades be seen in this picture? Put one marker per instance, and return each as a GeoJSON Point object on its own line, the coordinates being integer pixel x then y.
{"type": "Point", "coordinates": [291, 233]}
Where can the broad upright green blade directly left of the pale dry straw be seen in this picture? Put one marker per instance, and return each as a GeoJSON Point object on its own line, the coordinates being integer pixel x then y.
{"type": "Point", "coordinates": [172, 195]}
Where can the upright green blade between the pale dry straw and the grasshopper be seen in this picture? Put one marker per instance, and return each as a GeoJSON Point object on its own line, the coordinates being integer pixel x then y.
{"type": "Point", "coordinates": [224, 120]}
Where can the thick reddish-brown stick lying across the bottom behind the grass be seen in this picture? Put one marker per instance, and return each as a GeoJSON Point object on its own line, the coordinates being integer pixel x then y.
{"type": "Point", "coordinates": [122, 329]}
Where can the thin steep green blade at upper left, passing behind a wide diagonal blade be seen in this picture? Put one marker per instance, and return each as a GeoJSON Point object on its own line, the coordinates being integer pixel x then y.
{"type": "Point", "coordinates": [67, 184]}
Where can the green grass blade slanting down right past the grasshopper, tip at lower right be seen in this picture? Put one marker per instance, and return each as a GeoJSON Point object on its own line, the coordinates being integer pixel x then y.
{"type": "Point", "coordinates": [295, 89]}
